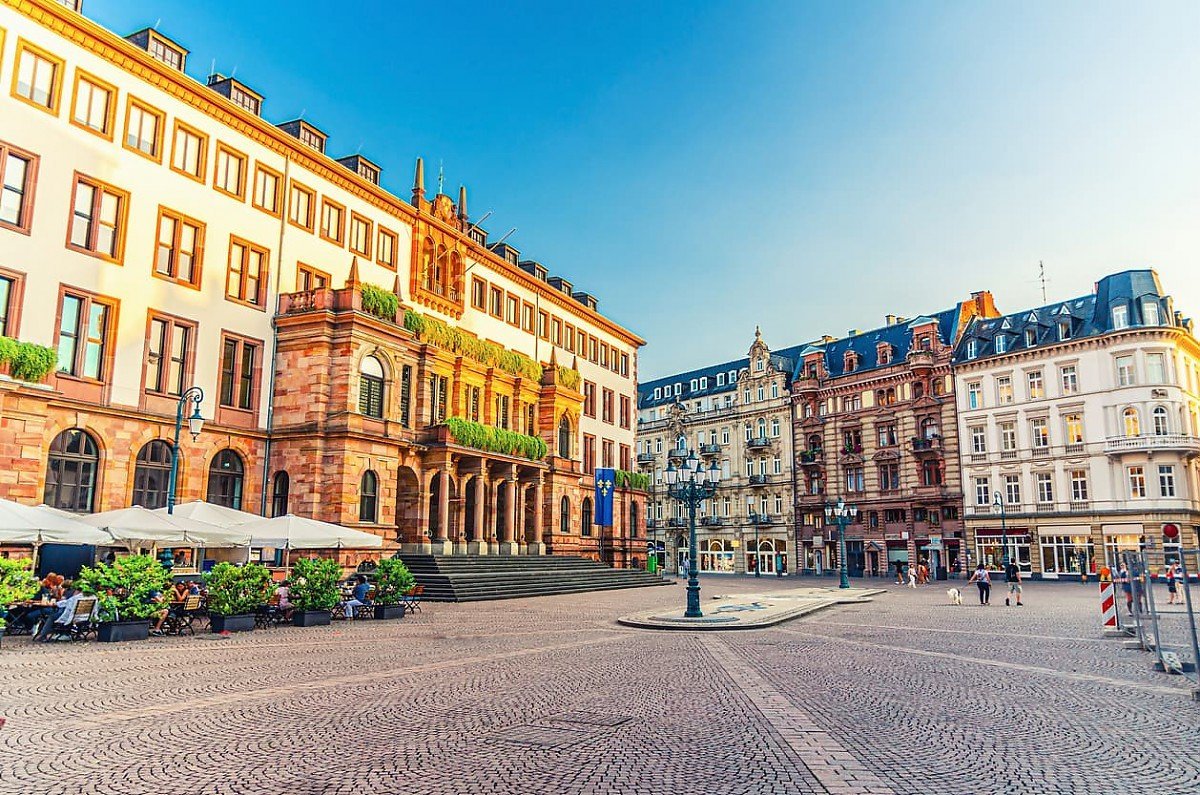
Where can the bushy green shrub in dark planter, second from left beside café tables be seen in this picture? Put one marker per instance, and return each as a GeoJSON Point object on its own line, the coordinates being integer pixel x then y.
{"type": "Point", "coordinates": [127, 590]}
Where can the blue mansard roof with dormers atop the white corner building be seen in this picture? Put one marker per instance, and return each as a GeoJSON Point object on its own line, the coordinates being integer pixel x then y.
{"type": "Point", "coordinates": [1135, 294]}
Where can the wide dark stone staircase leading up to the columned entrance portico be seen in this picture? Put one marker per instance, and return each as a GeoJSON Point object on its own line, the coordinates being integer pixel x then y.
{"type": "Point", "coordinates": [470, 578]}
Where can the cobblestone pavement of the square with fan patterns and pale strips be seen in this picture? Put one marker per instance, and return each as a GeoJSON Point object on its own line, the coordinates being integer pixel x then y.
{"type": "Point", "coordinates": [905, 695]}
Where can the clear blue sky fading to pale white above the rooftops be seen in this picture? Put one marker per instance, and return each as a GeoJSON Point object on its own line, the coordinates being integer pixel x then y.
{"type": "Point", "coordinates": [705, 168]}
